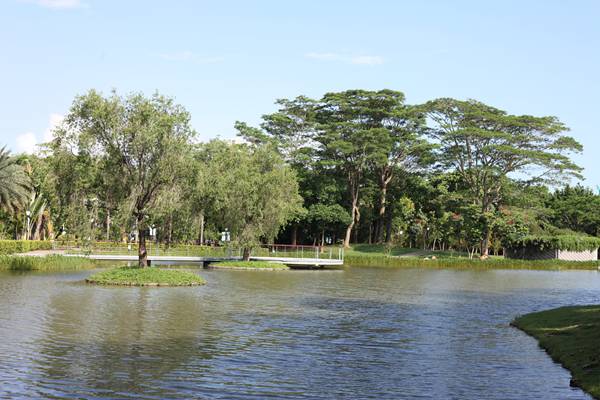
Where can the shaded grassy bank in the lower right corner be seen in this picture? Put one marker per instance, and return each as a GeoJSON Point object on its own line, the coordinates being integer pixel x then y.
{"type": "Point", "coordinates": [571, 336]}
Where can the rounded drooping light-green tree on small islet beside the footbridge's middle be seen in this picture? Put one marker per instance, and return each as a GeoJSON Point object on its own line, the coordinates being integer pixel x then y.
{"type": "Point", "coordinates": [250, 191]}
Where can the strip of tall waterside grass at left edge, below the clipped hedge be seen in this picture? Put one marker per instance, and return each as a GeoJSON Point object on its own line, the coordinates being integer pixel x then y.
{"type": "Point", "coordinates": [48, 263]}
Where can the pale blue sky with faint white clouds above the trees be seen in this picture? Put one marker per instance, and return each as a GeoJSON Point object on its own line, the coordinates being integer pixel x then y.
{"type": "Point", "coordinates": [229, 60]}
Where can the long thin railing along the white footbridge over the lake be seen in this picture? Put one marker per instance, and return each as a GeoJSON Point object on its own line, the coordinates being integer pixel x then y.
{"type": "Point", "coordinates": [268, 250]}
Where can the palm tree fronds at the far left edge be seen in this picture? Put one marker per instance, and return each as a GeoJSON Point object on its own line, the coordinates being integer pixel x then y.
{"type": "Point", "coordinates": [15, 185]}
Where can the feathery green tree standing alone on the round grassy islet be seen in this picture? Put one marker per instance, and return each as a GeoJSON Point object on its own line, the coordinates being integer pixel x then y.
{"type": "Point", "coordinates": [141, 142]}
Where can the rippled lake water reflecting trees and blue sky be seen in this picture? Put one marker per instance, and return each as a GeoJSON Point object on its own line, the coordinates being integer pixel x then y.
{"type": "Point", "coordinates": [351, 334]}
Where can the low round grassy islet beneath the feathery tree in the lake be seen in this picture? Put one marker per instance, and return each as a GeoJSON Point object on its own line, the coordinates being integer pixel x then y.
{"type": "Point", "coordinates": [149, 276]}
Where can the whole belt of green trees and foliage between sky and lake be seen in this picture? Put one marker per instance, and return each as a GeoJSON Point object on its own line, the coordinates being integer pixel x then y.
{"type": "Point", "coordinates": [359, 159]}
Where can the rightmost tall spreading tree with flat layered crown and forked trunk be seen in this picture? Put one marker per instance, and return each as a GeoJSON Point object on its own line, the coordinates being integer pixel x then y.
{"type": "Point", "coordinates": [485, 145]}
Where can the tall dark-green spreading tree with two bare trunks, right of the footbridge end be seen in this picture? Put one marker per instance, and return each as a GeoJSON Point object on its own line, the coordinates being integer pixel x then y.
{"type": "Point", "coordinates": [368, 132]}
